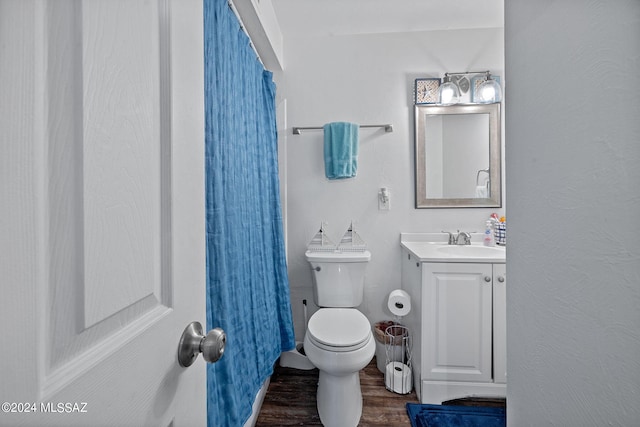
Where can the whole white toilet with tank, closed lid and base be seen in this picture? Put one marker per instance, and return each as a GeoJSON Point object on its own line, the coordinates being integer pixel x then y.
{"type": "Point", "coordinates": [339, 341]}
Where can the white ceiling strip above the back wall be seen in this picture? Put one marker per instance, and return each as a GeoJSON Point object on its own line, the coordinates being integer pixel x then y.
{"type": "Point", "coordinates": [342, 17]}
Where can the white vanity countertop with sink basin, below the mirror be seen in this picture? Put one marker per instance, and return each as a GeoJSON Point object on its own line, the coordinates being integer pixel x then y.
{"type": "Point", "coordinates": [433, 247]}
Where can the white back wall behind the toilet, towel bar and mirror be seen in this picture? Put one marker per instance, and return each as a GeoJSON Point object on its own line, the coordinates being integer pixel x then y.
{"type": "Point", "coordinates": [367, 79]}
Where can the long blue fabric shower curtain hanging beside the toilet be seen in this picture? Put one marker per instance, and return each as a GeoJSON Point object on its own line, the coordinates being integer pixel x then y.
{"type": "Point", "coordinates": [247, 284]}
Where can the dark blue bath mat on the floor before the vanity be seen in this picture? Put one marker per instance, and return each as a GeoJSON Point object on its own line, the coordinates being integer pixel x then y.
{"type": "Point", "coordinates": [455, 416]}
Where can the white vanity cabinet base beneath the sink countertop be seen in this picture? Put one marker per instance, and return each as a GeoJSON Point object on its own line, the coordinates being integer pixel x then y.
{"type": "Point", "coordinates": [458, 327]}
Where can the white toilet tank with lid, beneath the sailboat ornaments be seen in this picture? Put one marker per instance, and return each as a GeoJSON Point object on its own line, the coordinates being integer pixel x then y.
{"type": "Point", "coordinates": [338, 277]}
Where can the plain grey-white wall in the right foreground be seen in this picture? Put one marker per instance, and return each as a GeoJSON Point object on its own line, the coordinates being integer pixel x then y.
{"type": "Point", "coordinates": [573, 174]}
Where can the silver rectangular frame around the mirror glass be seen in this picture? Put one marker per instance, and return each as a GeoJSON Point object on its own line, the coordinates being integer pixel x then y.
{"type": "Point", "coordinates": [495, 158]}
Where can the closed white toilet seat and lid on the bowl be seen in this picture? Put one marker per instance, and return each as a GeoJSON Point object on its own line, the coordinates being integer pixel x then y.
{"type": "Point", "coordinates": [339, 329]}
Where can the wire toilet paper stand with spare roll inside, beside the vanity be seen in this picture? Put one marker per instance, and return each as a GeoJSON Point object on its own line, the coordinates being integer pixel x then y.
{"type": "Point", "coordinates": [398, 375]}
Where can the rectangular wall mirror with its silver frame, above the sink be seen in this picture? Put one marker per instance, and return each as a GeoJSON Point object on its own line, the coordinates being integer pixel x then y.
{"type": "Point", "coordinates": [458, 156]}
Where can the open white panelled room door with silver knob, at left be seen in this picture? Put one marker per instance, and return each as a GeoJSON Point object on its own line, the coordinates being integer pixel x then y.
{"type": "Point", "coordinates": [102, 253]}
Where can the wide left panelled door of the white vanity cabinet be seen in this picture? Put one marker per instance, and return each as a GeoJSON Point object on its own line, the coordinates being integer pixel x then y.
{"type": "Point", "coordinates": [458, 300]}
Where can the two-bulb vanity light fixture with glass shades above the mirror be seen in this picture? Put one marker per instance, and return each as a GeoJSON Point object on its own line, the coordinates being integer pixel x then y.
{"type": "Point", "coordinates": [487, 90]}
